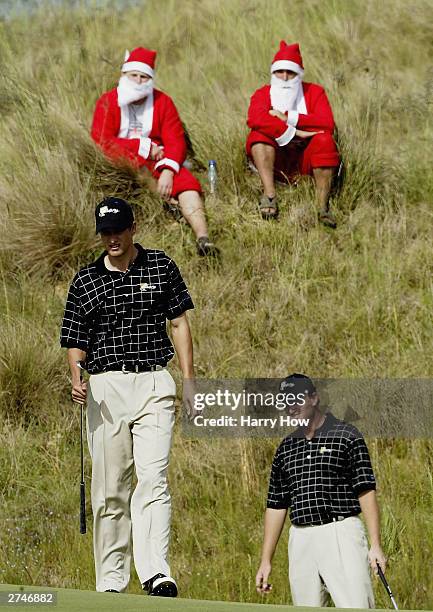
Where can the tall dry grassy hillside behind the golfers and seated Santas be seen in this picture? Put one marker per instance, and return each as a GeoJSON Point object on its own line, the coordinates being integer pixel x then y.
{"type": "Point", "coordinates": [288, 296]}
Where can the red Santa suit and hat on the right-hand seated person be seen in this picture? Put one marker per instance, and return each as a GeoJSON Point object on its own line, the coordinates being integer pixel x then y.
{"type": "Point", "coordinates": [311, 112]}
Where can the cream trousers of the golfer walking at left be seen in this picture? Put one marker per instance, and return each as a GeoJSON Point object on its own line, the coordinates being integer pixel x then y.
{"type": "Point", "coordinates": [130, 418]}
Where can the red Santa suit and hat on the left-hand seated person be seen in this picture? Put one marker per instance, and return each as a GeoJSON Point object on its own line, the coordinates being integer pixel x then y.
{"type": "Point", "coordinates": [161, 125]}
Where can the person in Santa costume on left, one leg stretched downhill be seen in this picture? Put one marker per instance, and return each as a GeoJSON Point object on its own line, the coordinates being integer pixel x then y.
{"type": "Point", "coordinates": [141, 124]}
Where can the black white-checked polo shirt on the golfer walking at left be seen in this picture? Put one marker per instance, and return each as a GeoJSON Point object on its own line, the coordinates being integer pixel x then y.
{"type": "Point", "coordinates": [119, 318]}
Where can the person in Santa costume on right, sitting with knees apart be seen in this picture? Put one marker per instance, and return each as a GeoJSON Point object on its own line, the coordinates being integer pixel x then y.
{"type": "Point", "coordinates": [291, 133]}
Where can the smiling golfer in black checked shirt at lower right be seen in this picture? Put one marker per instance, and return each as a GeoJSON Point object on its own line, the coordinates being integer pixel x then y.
{"type": "Point", "coordinates": [323, 473]}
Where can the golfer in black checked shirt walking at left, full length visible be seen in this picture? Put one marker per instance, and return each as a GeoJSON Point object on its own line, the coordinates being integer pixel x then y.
{"type": "Point", "coordinates": [115, 321]}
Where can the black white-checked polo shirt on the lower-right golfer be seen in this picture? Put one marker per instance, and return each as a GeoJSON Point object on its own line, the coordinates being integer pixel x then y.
{"type": "Point", "coordinates": [321, 478]}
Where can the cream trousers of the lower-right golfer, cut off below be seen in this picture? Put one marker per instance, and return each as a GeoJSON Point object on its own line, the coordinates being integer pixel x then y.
{"type": "Point", "coordinates": [330, 558]}
